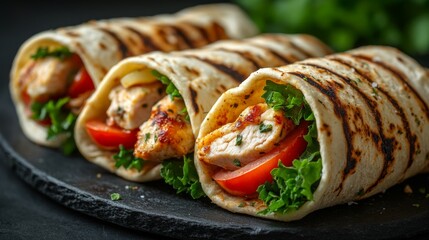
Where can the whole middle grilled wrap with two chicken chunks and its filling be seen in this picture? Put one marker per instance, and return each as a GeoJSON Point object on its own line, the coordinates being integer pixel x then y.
{"type": "Point", "coordinates": [147, 111]}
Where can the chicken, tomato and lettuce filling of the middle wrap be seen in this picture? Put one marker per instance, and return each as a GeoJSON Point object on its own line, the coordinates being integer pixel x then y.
{"type": "Point", "coordinates": [146, 124]}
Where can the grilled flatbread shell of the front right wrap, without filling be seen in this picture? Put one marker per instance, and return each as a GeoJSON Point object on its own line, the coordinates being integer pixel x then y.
{"type": "Point", "coordinates": [371, 110]}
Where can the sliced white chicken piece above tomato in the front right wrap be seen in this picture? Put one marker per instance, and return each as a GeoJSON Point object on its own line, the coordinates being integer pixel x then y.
{"type": "Point", "coordinates": [256, 131]}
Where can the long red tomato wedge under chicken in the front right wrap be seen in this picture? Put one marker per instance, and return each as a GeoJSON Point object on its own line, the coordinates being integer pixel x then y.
{"type": "Point", "coordinates": [244, 181]}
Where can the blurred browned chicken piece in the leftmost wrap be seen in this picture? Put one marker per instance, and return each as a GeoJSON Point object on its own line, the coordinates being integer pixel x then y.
{"type": "Point", "coordinates": [48, 77]}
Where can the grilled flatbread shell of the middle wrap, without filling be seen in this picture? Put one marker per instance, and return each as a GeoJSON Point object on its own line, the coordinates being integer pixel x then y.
{"type": "Point", "coordinates": [201, 76]}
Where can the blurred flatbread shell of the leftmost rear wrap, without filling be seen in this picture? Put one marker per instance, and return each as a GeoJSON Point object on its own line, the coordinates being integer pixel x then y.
{"type": "Point", "coordinates": [101, 44]}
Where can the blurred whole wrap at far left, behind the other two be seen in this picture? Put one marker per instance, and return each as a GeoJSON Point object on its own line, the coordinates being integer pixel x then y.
{"type": "Point", "coordinates": [55, 71]}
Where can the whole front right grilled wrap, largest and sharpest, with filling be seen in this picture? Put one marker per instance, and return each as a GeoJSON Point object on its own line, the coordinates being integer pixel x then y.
{"type": "Point", "coordinates": [316, 133]}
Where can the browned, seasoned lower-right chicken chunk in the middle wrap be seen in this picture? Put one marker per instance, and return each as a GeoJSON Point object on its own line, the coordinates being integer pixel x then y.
{"type": "Point", "coordinates": [167, 133]}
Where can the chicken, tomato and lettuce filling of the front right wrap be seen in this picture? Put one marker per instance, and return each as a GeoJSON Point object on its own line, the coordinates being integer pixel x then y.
{"type": "Point", "coordinates": [269, 152]}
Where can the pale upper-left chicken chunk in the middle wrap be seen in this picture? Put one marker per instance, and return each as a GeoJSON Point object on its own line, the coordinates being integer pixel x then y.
{"type": "Point", "coordinates": [130, 107]}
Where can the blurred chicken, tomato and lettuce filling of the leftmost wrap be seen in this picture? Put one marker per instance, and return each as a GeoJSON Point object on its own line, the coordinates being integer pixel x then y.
{"type": "Point", "coordinates": [54, 86]}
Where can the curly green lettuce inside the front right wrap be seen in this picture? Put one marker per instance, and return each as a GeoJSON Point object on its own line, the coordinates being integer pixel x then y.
{"type": "Point", "coordinates": [293, 185]}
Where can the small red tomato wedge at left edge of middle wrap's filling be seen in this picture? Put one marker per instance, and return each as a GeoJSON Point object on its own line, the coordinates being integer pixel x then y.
{"type": "Point", "coordinates": [110, 137]}
